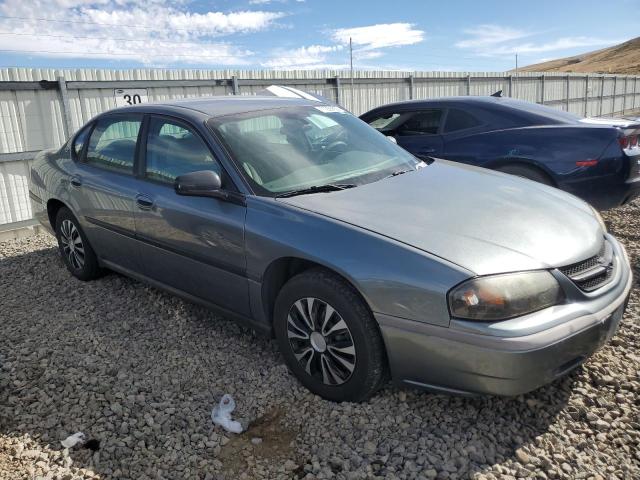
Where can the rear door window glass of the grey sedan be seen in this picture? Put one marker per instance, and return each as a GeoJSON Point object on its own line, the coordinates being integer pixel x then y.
{"type": "Point", "coordinates": [112, 145]}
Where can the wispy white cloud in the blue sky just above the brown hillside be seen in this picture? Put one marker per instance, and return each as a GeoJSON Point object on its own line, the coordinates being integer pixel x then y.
{"type": "Point", "coordinates": [495, 40]}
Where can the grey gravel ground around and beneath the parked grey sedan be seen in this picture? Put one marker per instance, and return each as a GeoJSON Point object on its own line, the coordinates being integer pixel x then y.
{"type": "Point", "coordinates": [139, 371]}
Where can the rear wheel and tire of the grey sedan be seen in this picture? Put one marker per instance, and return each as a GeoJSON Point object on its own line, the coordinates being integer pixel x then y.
{"type": "Point", "coordinates": [74, 247]}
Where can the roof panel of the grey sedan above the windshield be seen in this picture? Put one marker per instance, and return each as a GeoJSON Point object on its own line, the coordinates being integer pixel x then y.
{"type": "Point", "coordinates": [220, 106]}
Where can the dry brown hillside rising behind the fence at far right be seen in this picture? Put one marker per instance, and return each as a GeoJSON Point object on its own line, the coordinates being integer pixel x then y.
{"type": "Point", "coordinates": [623, 58]}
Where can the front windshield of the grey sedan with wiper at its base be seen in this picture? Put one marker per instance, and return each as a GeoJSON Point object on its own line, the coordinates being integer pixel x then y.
{"type": "Point", "coordinates": [293, 148]}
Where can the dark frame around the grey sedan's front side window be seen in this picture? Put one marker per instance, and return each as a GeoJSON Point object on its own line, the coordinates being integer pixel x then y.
{"type": "Point", "coordinates": [141, 171]}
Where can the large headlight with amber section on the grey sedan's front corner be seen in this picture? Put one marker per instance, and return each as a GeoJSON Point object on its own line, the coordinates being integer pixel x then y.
{"type": "Point", "coordinates": [499, 297]}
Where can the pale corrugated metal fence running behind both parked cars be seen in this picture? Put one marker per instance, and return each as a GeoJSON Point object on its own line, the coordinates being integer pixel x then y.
{"type": "Point", "coordinates": [35, 118]}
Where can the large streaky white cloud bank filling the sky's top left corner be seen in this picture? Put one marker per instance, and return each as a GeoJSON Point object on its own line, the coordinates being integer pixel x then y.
{"type": "Point", "coordinates": [147, 31]}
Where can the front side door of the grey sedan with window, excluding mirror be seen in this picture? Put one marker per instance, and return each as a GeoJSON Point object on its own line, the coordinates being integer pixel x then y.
{"type": "Point", "coordinates": [193, 244]}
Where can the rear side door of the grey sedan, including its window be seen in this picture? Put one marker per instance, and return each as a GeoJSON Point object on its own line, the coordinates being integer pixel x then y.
{"type": "Point", "coordinates": [104, 187]}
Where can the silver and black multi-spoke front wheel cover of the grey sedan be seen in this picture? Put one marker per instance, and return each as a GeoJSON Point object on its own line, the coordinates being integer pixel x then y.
{"type": "Point", "coordinates": [321, 341]}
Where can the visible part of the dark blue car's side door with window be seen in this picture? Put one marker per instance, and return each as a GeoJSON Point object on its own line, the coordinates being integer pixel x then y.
{"type": "Point", "coordinates": [418, 131]}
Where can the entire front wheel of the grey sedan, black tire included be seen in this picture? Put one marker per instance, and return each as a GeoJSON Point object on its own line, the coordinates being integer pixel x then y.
{"type": "Point", "coordinates": [329, 338]}
